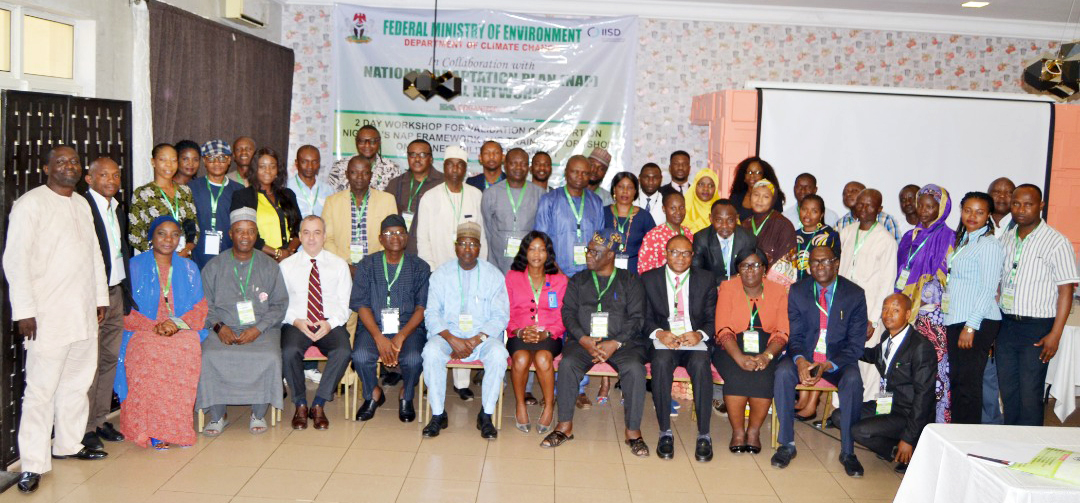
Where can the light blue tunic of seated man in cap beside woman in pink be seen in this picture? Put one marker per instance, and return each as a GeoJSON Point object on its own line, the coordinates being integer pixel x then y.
{"type": "Point", "coordinates": [483, 289]}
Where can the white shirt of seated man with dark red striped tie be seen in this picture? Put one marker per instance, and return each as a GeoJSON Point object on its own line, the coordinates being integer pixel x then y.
{"type": "Point", "coordinates": [336, 286]}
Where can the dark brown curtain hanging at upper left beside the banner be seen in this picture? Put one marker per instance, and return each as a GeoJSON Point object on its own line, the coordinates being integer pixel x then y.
{"type": "Point", "coordinates": [210, 81]}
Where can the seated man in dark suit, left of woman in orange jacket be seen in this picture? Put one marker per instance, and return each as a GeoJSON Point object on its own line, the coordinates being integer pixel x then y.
{"type": "Point", "coordinates": [680, 315]}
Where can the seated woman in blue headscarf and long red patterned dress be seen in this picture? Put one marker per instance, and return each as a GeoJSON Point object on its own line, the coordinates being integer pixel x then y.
{"type": "Point", "coordinates": [160, 355]}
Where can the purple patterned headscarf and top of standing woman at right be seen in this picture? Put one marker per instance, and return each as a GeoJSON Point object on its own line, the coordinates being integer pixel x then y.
{"type": "Point", "coordinates": [924, 251]}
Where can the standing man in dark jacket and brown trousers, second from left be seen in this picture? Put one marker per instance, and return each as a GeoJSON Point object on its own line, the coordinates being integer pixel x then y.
{"type": "Point", "coordinates": [111, 224]}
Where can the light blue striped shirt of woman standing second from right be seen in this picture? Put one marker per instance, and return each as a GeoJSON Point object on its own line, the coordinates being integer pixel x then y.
{"type": "Point", "coordinates": [975, 271]}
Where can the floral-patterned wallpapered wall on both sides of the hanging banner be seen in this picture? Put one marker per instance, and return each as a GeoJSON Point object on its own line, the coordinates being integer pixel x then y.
{"type": "Point", "coordinates": [679, 60]}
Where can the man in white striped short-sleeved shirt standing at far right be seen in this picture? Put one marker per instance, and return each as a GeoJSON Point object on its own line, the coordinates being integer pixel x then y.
{"type": "Point", "coordinates": [1038, 279]}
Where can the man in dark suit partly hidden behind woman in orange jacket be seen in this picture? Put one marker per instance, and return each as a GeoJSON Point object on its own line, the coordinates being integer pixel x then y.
{"type": "Point", "coordinates": [718, 246]}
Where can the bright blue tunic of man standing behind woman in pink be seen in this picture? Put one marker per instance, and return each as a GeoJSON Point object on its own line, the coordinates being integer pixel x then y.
{"type": "Point", "coordinates": [556, 219]}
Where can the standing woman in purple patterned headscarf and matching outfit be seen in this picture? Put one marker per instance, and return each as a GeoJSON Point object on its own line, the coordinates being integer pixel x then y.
{"type": "Point", "coordinates": [922, 271]}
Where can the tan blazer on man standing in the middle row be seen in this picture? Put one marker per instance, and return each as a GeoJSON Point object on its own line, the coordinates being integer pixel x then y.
{"type": "Point", "coordinates": [337, 214]}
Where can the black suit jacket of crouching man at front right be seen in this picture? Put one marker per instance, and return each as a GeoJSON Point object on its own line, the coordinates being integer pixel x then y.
{"type": "Point", "coordinates": [911, 380]}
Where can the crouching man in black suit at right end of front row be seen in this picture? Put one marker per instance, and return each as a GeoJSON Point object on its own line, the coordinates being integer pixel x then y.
{"type": "Point", "coordinates": [906, 399]}
